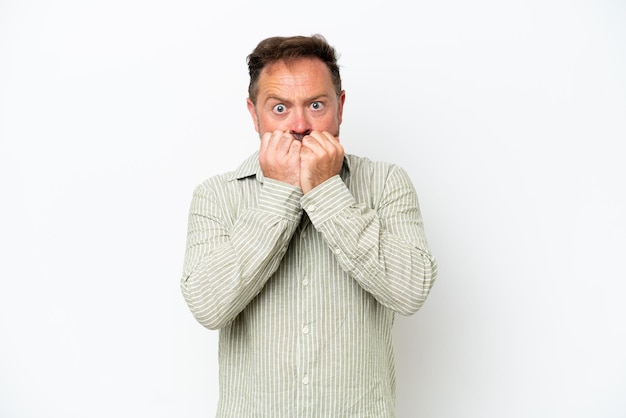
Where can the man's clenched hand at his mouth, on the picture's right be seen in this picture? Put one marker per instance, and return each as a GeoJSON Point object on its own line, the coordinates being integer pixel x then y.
{"type": "Point", "coordinates": [321, 158]}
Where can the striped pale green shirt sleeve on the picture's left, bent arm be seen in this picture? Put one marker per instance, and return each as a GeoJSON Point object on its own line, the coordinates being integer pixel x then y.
{"type": "Point", "coordinates": [230, 256]}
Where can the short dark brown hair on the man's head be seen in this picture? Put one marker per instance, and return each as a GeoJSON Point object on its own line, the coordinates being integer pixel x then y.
{"type": "Point", "coordinates": [280, 48]}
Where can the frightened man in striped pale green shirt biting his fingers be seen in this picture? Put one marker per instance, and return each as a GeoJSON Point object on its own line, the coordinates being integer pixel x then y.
{"type": "Point", "coordinates": [302, 255]}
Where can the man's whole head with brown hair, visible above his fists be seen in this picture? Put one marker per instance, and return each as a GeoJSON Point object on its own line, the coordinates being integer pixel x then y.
{"type": "Point", "coordinates": [295, 86]}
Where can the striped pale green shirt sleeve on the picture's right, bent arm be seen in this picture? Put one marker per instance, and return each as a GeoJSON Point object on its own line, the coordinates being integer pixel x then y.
{"type": "Point", "coordinates": [382, 247]}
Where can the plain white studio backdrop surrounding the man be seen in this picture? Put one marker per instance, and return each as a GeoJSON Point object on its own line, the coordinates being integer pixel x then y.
{"type": "Point", "coordinates": [509, 117]}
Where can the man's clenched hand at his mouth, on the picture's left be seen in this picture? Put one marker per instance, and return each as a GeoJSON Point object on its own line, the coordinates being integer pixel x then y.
{"type": "Point", "coordinates": [279, 157]}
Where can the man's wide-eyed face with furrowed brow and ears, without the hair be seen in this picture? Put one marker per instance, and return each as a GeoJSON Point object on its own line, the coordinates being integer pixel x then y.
{"type": "Point", "coordinates": [297, 97]}
